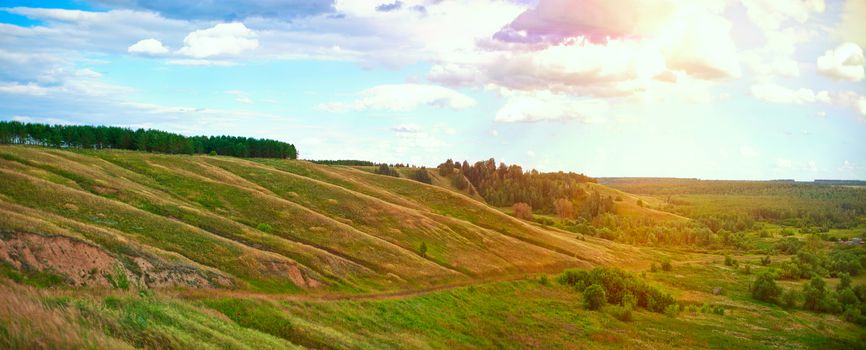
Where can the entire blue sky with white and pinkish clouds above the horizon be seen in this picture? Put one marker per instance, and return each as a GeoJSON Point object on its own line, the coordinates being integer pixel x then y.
{"type": "Point", "coordinates": [713, 89]}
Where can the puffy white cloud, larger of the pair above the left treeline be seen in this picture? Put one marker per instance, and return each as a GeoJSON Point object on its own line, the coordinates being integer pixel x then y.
{"type": "Point", "coordinates": [221, 39]}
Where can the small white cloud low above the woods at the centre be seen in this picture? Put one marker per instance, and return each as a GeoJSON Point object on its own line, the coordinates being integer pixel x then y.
{"type": "Point", "coordinates": [546, 106]}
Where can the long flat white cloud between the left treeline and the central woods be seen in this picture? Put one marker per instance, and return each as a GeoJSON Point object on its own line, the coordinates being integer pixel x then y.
{"type": "Point", "coordinates": [403, 98]}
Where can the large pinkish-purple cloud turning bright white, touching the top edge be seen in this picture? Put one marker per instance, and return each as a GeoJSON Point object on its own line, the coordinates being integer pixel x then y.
{"type": "Point", "coordinates": [690, 37]}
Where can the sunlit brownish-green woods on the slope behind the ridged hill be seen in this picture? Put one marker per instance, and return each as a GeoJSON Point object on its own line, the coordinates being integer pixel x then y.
{"type": "Point", "coordinates": [505, 185]}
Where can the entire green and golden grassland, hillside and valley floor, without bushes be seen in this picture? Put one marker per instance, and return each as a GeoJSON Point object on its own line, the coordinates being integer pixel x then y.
{"type": "Point", "coordinates": [124, 249]}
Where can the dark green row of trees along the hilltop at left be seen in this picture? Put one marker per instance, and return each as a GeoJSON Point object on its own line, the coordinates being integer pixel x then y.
{"type": "Point", "coordinates": [97, 137]}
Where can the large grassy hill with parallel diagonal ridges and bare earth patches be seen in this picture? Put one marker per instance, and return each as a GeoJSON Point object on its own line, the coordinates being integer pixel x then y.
{"type": "Point", "coordinates": [262, 225]}
